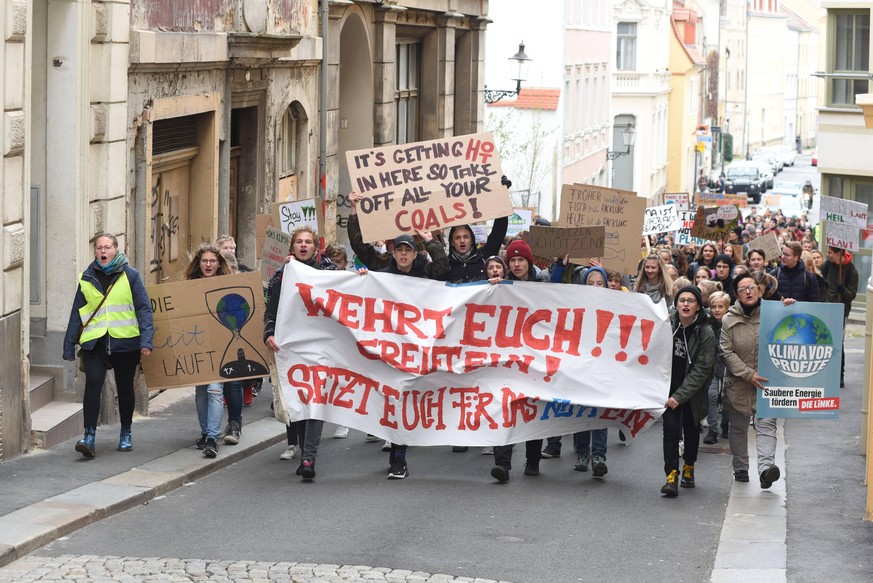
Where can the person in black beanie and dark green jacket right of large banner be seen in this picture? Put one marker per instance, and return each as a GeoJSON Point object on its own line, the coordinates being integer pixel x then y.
{"type": "Point", "coordinates": [693, 366]}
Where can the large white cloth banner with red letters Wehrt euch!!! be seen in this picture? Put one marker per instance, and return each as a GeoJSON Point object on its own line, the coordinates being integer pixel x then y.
{"type": "Point", "coordinates": [418, 362]}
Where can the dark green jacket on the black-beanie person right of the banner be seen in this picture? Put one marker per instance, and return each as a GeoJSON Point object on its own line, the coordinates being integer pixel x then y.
{"type": "Point", "coordinates": [701, 350]}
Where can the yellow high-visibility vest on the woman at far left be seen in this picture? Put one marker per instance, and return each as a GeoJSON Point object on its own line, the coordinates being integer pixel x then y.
{"type": "Point", "coordinates": [117, 315]}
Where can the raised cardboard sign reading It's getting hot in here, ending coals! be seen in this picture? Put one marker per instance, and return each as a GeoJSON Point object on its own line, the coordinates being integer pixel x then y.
{"type": "Point", "coordinates": [428, 185]}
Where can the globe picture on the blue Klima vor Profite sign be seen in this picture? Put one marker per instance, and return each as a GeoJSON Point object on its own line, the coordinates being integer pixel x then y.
{"type": "Point", "coordinates": [801, 345]}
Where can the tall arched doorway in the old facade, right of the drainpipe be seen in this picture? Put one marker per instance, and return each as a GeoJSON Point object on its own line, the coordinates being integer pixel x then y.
{"type": "Point", "coordinates": [355, 105]}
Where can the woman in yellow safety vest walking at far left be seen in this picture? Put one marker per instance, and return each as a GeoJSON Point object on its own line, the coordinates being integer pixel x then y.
{"type": "Point", "coordinates": [111, 321]}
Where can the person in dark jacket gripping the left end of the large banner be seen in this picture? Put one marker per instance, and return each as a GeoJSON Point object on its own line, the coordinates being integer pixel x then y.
{"type": "Point", "coordinates": [304, 248]}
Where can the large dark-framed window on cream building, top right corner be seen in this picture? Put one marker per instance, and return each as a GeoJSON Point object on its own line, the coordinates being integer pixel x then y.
{"type": "Point", "coordinates": [851, 55]}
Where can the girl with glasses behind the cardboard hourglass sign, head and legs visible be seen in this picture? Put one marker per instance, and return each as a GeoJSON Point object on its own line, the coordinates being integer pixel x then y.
{"type": "Point", "coordinates": [208, 261]}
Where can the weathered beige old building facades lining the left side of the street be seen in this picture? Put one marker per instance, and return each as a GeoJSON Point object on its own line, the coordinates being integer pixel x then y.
{"type": "Point", "coordinates": [170, 122]}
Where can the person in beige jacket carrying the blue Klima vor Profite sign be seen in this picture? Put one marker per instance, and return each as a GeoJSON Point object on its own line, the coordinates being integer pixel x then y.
{"type": "Point", "coordinates": [740, 330]}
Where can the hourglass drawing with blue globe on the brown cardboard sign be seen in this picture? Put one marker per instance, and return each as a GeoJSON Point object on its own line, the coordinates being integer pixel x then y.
{"type": "Point", "coordinates": [233, 307]}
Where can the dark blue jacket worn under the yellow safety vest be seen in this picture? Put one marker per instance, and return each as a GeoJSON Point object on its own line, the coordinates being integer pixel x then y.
{"type": "Point", "coordinates": [141, 304]}
